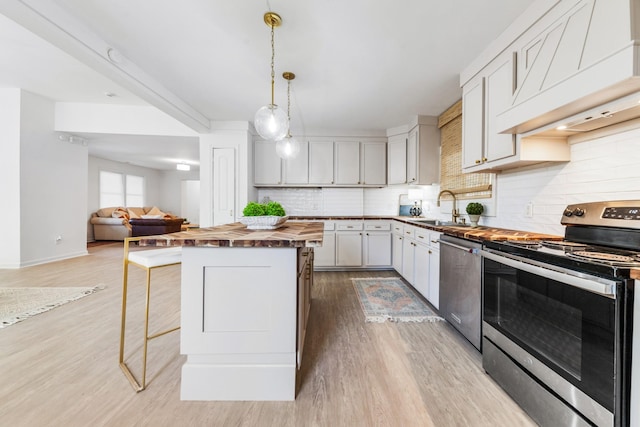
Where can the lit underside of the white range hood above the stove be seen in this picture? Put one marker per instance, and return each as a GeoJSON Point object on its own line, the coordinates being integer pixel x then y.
{"type": "Point", "coordinates": [611, 113]}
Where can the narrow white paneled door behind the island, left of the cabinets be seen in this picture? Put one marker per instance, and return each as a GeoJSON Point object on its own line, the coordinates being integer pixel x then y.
{"type": "Point", "coordinates": [224, 186]}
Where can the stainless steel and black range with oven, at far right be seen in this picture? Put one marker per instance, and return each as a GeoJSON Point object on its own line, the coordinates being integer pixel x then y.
{"type": "Point", "coordinates": [558, 317]}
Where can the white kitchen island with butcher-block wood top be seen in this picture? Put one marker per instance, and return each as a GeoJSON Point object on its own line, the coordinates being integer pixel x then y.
{"type": "Point", "coordinates": [245, 297]}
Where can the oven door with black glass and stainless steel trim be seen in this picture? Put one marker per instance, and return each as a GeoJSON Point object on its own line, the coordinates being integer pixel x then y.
{"type": "Point", "coordinates": [564, 319]}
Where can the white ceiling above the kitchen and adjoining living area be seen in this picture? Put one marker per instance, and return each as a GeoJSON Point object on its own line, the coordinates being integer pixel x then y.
{"type": "Point", "coordinates": [361, 65]}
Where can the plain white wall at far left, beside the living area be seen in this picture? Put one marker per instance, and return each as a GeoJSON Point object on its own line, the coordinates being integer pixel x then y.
{"type": "Point", "coordinates": [50, 179]}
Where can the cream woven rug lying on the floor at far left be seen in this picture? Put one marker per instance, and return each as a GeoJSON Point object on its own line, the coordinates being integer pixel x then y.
{"type": "Point", "coordinates": [17, 304]}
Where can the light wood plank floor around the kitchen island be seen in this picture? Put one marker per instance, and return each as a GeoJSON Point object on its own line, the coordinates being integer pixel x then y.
{"type": "Point", "coordinates": [60, 368]}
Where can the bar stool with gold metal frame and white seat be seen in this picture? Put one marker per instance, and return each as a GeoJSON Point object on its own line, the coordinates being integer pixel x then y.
{"type": "Point", "coordinates": [147, 260]}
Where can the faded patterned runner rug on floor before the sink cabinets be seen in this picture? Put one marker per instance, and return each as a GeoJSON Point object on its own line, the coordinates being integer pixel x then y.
{"type": "Point", "coordinates": [390, 299]}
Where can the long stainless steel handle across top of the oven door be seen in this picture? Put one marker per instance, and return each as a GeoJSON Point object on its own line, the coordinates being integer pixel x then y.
{"type": "Point", "coordinates": [592, 284]}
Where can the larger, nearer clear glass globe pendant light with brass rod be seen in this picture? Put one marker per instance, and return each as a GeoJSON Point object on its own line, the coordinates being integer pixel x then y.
{"type": "Point", "coordinates": [270, 121]}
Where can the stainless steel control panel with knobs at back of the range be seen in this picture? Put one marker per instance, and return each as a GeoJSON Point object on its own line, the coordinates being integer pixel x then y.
{"type": "Point", "coordinates": [620, 213]}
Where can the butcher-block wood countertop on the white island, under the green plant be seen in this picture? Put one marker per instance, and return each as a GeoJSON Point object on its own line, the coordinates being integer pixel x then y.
{"type": "Point", "coordinates": [290, 235]}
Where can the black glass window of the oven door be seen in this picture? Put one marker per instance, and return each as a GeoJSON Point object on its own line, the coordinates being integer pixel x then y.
{"type": "Point", "coordinates": [571, 330]}
